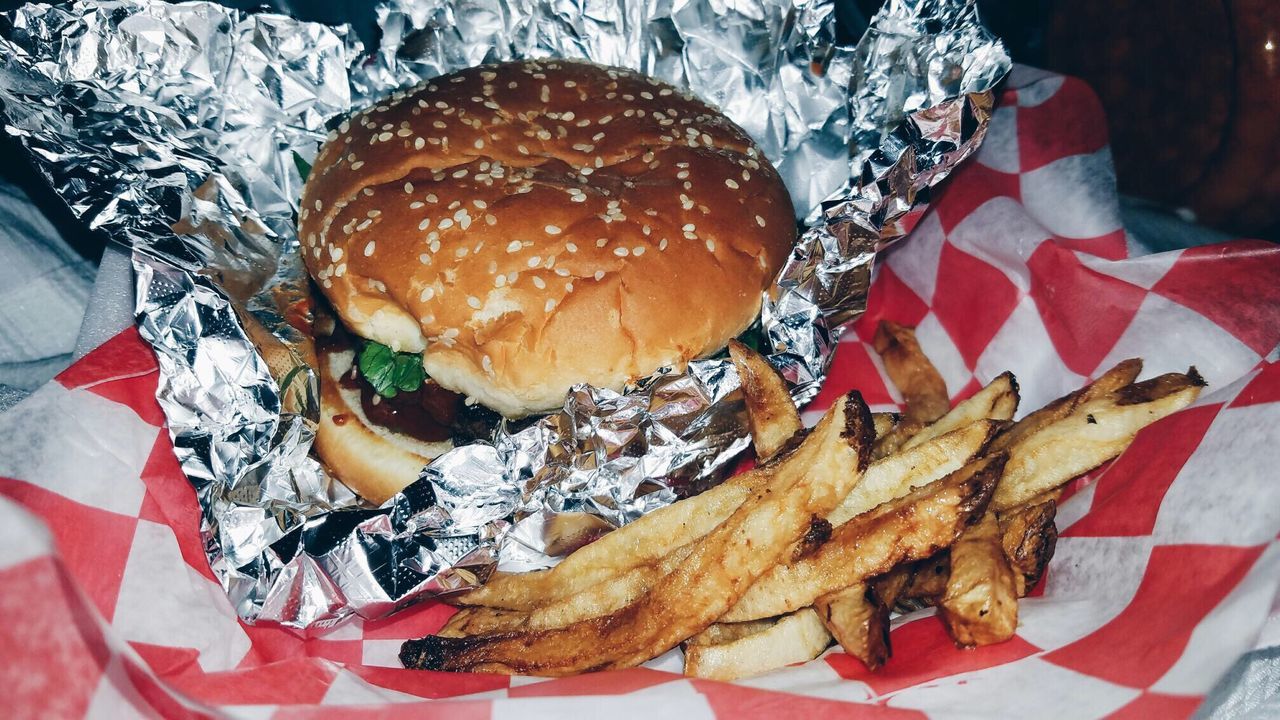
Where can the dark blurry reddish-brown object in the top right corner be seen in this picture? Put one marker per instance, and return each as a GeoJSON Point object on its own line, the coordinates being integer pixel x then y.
{"type": "Point", "coordinates": [1192, 93]}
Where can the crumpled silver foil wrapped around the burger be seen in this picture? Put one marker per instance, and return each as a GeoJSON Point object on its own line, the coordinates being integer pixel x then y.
{"type": "Point", "coordinates": [182, 133]}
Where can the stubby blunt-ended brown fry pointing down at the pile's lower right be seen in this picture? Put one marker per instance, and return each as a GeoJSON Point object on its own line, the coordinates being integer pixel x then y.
{"type": "Point", "coordinates": [980, 605]}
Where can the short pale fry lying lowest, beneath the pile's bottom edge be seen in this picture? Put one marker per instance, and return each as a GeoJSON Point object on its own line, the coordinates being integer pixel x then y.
{"type": "Point", "coordinates": [793, 639]}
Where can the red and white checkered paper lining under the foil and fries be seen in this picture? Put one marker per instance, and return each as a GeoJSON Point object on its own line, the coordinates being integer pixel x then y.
{"type": "Point", "coordinates": [1167, 571]}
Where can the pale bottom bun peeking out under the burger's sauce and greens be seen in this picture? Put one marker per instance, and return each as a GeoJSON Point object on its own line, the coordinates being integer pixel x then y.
{"type": "Point", "coordinates": [372, 461]}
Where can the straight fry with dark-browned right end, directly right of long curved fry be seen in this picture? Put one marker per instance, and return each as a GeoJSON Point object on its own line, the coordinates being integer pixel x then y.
{"type": "Point", "coordinates": [909, 528]}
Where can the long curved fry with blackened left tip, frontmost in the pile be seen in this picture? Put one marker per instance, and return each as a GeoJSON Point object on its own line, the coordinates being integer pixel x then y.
{"type": "Point", "coordinates": [716, 575]}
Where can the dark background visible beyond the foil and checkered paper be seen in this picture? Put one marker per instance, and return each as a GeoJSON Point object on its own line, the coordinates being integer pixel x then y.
{"type": "Point", "coordinates": [1191, 88]}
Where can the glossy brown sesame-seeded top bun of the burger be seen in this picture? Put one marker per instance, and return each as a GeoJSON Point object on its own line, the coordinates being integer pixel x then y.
{"type": "Point", "coordinates": [532, 226]}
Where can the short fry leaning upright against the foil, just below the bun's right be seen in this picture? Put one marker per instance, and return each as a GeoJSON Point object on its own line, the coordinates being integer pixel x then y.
{"type": "Point", "coordinates": [770, 411]}
